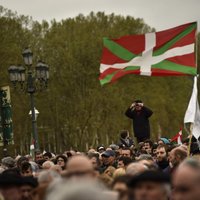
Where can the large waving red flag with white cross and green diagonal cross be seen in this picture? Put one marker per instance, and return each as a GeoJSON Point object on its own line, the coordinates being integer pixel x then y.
{"type": "Point", "coordinates": [165, 53]}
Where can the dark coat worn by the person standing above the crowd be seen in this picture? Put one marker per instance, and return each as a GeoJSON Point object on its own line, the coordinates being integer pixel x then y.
{"type": "Point", "coordinates": [140, 118]}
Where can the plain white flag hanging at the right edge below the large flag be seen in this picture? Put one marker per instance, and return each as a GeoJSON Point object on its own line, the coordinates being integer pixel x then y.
{"type": "Point", "coordinates": [192, 114]}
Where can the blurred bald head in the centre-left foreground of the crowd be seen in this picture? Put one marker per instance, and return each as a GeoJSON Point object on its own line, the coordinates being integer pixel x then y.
{"type": "Point", "coordinates": [79, 166]}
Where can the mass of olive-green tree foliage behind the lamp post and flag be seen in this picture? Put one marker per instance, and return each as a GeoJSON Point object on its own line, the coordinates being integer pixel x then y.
{"type": "Point", "coordinates": [75, 111]}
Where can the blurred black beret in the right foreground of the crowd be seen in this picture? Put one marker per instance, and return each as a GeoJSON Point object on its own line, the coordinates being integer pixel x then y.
{"type": "Point", "coordinates": [152, 176]}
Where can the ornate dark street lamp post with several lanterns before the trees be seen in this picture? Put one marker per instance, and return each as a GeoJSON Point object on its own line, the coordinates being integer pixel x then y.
{"type": "Point", "coordinates": [36, 80]}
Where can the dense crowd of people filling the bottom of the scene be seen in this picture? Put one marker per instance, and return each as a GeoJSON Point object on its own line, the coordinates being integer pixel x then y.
{"type": "Point", "coordinates": [123, 171]}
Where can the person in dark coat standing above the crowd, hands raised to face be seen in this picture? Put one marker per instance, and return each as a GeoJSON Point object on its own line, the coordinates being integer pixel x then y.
{"type": "Point", "coordinates": [140, 116]}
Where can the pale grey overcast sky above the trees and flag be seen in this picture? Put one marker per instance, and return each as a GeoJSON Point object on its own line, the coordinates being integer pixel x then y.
{"type": "Point", "coordinates": [160, 14]}
